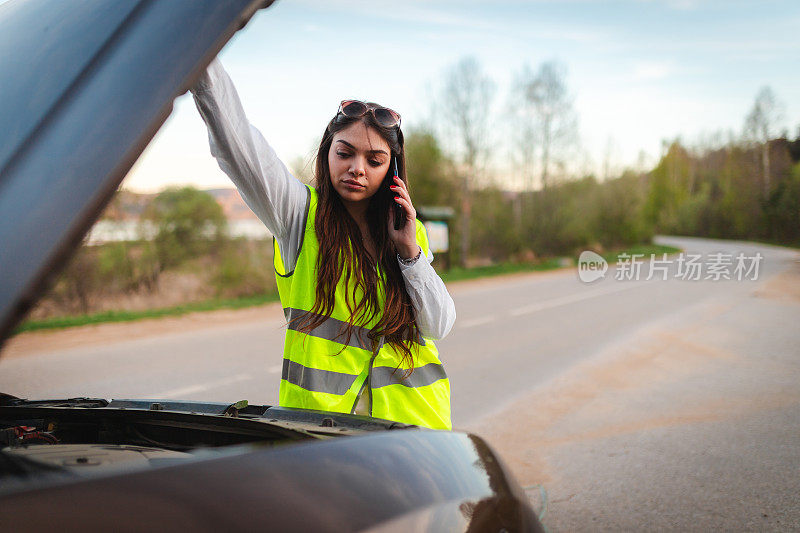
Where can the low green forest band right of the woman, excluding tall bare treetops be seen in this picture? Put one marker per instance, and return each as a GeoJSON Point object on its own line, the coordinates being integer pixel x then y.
{"type": "Point", "coordinates": [718, 192]}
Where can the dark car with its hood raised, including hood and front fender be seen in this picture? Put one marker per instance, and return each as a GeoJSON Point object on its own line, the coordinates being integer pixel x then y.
{"type": "Point", "coordinates": [85, 87]}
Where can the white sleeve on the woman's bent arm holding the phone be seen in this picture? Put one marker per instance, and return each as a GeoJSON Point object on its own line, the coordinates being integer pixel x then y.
{"type": "Point", "coordinates": [436, 312]}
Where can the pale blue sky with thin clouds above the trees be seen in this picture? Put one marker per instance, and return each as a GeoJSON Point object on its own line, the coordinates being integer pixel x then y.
{"type": "Point", "coordinates": [639, 72]}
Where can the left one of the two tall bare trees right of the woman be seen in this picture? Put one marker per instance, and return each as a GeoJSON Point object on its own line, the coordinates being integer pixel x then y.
{"type": "Point", "coordinates": [467, 97]}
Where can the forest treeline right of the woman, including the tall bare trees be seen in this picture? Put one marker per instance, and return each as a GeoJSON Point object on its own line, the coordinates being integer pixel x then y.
{"type": "Point", "coordinates": [745, 187]}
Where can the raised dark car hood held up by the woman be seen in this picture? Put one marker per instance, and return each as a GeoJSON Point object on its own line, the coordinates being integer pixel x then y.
{"type": "Point", "coordinates": [85, 86]}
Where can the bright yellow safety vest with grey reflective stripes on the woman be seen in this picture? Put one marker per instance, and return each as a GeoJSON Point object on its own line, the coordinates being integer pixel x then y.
{"type": "Point", "coordinates": [325, 370]}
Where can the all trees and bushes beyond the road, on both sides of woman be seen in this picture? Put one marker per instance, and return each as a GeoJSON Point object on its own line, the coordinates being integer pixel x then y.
{"type": "Point", "coordinates": [747, 187]}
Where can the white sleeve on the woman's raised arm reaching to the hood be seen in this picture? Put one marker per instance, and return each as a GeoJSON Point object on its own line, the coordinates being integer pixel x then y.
{"type": "Point", "coordinates": [266, 185]}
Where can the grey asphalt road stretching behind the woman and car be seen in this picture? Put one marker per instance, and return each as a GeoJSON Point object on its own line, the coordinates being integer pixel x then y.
{"type": "Point", "coordinates": [638, 404]}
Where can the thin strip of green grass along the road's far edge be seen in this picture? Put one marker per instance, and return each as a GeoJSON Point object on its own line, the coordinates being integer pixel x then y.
{"type": "Point", "coordinates": [455, 274]}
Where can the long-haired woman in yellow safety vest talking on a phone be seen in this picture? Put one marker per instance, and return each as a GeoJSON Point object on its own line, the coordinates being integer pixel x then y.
{"type": "Point", "coordinates": [363, 305]}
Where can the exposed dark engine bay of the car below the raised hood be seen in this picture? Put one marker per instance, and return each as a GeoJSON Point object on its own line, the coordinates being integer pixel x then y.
{"type": "Point", "coordinates": [77, 438]}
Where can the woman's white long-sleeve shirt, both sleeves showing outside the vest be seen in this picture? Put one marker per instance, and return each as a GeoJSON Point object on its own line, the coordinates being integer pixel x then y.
{"type": "Point", "coordinates": [279, 199]}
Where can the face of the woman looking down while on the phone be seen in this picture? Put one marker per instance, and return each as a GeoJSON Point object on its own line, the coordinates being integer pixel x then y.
{"type": "Point", "coordinates": [358, 159]}
